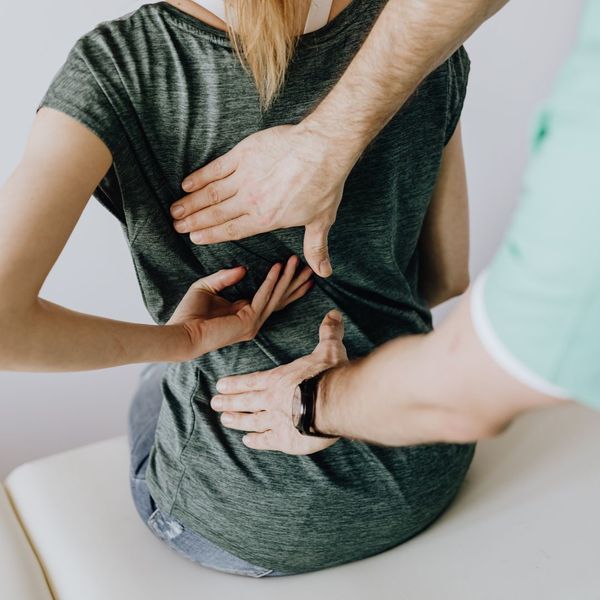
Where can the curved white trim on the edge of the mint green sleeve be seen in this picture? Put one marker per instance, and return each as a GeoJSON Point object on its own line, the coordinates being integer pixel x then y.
{"type": "Point", "coordinates": [500, 353]}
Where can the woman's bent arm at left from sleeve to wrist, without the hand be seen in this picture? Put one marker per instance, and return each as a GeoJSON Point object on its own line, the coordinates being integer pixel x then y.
{"type": "Point", "coordinates": [40, 205]}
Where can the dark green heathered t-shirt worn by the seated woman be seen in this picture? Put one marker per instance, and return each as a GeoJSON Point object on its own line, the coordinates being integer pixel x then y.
{"type": "Point", "coordinates": [167, 94]}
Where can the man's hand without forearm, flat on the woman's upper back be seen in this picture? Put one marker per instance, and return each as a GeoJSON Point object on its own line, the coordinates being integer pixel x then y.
{"type": "Point", "coordinates": [278, 178]}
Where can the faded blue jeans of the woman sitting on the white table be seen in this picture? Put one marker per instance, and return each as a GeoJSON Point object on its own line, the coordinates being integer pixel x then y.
{"type": "Point", "coordinates": [143, 417]}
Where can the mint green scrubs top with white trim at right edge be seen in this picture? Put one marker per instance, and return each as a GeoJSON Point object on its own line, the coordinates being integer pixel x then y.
{"type": "Point", "coordinates": [537, 307]}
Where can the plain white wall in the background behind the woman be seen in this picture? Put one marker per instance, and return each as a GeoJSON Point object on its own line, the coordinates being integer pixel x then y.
{"type": "Point", "coordinates": [514, 57]}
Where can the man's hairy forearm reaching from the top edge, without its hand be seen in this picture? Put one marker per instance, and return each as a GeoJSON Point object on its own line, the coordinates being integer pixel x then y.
{"type": "Point", "coordinates": [409, 40]}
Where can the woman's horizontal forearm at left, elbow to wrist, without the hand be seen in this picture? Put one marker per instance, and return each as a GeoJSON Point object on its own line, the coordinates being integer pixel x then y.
{"type": "Point", "coordinates": [49, 337]}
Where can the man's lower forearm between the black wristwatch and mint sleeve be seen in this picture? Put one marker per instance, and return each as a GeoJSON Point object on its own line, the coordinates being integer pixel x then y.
{"type": "Point", "coordinates": [439, 387]}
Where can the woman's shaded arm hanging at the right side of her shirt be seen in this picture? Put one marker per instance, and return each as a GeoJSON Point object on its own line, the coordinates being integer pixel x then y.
{"type": "Point", "coordinates": [444, 243]}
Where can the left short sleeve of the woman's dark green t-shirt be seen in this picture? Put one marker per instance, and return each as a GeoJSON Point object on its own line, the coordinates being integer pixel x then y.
{"type": "Point", "coordinates": [77, 91]}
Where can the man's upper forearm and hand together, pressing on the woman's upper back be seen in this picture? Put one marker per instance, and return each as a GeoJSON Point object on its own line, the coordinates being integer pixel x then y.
{"type": "Point", "coordinates": [291, 176]}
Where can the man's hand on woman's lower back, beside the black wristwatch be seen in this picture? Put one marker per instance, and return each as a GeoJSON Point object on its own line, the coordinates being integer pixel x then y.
{"type": "Point", "coordinates": [261, 402]}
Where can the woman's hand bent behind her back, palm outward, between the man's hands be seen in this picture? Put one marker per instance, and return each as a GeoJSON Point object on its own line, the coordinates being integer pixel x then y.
{"type": "Point", "coordinates": [209, 322]}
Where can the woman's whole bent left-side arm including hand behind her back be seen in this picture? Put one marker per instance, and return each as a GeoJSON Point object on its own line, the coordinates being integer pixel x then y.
{"type": "Point", "coordinates": [40, 205]}
